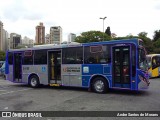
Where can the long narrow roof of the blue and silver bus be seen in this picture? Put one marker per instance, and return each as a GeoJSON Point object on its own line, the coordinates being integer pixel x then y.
{"type": "Point", "coordinates": [75, 44]}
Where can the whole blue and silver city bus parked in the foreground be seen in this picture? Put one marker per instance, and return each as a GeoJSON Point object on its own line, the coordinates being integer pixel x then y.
{"type": "Point", "coordinates": [98, 66]}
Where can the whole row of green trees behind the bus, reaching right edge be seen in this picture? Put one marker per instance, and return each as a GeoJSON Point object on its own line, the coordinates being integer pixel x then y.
{"type": "Point", "coordinates": [152, 46]}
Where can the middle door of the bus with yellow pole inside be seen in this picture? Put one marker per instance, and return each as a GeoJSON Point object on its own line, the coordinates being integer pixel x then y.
{"type": "Point", "coordinates": [54, 67]}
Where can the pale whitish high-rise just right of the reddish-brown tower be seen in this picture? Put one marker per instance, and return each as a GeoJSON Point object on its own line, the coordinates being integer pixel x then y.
{"type": "Point", "coordinates": [56, 35]}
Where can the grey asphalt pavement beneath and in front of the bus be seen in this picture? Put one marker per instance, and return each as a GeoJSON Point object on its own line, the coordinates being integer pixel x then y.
{"type": "Point", "coordinates": [19, 97]}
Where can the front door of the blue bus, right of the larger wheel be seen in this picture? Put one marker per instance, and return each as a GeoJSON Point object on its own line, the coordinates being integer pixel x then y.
{"type": "Point", "coordinates": [121, 67]}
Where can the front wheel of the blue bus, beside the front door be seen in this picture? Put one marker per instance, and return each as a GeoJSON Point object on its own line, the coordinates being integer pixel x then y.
{"type": "Point", "coordinates": [100, 85]}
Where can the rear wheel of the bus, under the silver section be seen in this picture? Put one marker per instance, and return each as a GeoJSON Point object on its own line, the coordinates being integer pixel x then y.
{"type": "Point", "coordinates": [34, 81]}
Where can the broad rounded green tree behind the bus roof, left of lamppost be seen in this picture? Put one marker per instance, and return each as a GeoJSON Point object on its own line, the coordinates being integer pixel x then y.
{"type": "Point", "coordinates": [92, 36]}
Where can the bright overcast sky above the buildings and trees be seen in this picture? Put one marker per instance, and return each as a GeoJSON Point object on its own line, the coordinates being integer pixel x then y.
{"type": "Point", "coordinates": [76, 16]}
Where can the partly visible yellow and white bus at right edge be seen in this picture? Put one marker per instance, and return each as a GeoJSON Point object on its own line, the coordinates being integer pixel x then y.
{"type": "Point", "coordinates": [153, 65]}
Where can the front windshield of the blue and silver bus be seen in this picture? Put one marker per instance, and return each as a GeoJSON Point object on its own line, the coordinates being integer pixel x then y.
{"type": "Point", "coordinates": [142, 60]}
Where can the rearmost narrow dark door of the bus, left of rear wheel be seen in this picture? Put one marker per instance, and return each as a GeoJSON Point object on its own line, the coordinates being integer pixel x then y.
{"type": "Point", "coordinates": [17, 67]}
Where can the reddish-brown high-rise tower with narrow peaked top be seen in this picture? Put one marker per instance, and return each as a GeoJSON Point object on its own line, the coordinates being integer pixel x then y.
{"type": "Point", "coordinates": [40, 33]}
